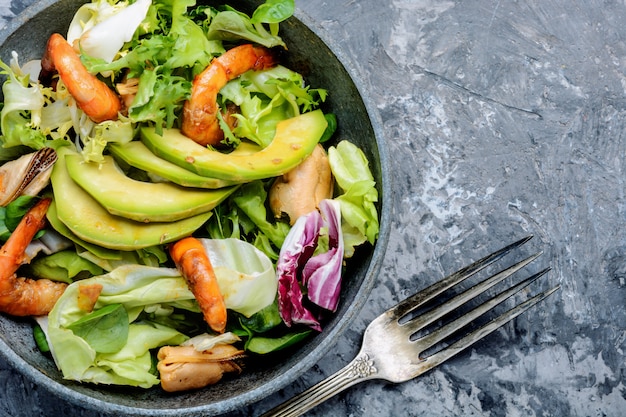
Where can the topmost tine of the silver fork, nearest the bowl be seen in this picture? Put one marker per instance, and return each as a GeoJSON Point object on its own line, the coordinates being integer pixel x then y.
{"type": "Point", "coordinates": [417, 300]}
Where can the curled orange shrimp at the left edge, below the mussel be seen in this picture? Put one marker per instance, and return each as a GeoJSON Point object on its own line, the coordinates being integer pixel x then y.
{"type": "Point", "coordinates": [25, 296]}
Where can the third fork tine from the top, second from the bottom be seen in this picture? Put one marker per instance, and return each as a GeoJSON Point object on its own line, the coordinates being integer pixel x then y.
{"type": "Point", "coordinates": [441, 333]}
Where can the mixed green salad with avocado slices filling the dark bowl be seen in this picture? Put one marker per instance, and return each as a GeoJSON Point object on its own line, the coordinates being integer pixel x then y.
{"type": "Point", "coordinates": [129, 179]}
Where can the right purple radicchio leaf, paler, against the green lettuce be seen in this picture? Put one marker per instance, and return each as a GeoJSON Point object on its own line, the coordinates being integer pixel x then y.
{"type": "Point", "coordinates": [322, 273]}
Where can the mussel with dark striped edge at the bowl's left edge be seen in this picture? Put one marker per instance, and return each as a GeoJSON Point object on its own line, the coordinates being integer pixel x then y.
{"type": "Point", "coordinates": [27, 175]}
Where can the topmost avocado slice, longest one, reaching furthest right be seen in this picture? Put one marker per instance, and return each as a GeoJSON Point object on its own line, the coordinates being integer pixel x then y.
{"type": "Point", "coordinates": [294, 140]}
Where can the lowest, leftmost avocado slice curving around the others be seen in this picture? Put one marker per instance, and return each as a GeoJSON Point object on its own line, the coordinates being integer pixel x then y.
{"type": "Point", "coordinates": [88, 220]}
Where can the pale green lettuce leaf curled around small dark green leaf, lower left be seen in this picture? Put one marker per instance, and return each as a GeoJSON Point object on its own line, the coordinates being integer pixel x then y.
{"type": "Point", "coordinates": [135, 287]}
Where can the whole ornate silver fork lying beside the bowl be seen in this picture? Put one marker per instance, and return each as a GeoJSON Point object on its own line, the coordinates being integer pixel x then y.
{"type": "Point", "coordinates": [393, 332]}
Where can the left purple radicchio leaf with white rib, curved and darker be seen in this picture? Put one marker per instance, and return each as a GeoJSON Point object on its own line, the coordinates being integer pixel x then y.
{"type": "Point", "coordinates": [297, 248]}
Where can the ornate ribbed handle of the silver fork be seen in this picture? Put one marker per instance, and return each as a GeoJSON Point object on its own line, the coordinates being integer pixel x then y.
{"type": "Point", "coordinates": [360, 369]}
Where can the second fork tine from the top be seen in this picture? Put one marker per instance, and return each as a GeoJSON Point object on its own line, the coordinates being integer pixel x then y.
{"type": "Point", "coordinates": [436, 313]}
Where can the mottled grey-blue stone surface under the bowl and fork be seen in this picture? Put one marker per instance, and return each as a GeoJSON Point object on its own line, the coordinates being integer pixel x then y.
{"type": "Point", "coordinates": [503, 118]}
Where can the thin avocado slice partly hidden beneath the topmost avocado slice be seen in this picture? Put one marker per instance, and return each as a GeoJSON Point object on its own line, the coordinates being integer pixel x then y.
{"type": "Point", "coordinates": [137, 155]}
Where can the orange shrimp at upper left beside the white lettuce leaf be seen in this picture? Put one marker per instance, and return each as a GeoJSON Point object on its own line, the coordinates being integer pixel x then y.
{"type": "Point", "coordinates": [92, 96]}
